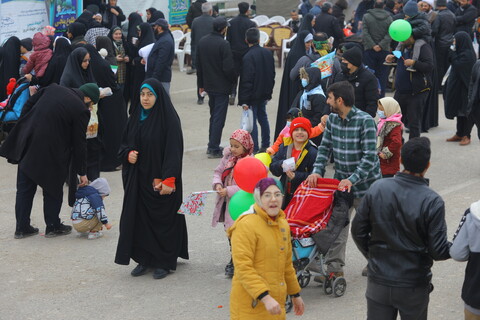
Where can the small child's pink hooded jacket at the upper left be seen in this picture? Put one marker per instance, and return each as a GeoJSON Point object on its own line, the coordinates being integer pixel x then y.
{"type": "Point", "coordinates": [41, 55]}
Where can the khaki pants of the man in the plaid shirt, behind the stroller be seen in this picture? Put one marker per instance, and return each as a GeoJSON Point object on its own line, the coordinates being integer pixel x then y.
{"type": "Point", "coordinates": [335, 259]}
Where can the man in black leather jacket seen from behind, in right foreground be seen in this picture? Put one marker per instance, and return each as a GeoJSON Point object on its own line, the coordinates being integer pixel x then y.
{"type": "Point", "coordinates": [400, 228]}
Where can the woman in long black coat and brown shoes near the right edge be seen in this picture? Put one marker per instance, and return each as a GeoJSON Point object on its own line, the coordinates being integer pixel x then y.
{"type": "Point", "coordinates": [462, 60]}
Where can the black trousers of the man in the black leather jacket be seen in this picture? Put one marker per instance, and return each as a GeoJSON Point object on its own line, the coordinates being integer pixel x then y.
{"type": "Point", "coordinates": [385, 303]}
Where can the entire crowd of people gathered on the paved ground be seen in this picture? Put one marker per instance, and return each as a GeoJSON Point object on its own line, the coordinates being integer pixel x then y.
{"type": "Point", "coordinates": [100, 101]}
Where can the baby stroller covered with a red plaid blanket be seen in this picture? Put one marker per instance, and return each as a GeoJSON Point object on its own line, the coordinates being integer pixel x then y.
{"type": "Point", "coordinates": [316, 216]}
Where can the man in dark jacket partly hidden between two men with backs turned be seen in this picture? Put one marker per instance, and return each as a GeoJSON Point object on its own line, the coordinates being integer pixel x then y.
{"type": "Point", "coordinates": [236, 37]}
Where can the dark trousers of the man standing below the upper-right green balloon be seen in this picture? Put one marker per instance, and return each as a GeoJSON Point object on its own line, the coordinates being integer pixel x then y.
{"type": "Point", "coordinates": [412, 106]}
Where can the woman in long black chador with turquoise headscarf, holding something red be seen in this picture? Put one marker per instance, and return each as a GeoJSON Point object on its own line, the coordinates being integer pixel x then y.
{"type": "Point", "coordinates": [151, 231]}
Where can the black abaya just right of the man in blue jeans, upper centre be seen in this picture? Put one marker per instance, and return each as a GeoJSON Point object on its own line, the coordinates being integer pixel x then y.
{"type": "Point", "coordinates": [289, 89]}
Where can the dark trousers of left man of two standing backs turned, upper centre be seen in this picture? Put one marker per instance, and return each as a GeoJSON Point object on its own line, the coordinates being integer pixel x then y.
{"type": "Point", "coordinates": [218, 103]}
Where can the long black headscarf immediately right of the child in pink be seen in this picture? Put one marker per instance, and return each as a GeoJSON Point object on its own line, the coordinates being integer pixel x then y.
{"type": "Point", "coordinates": [55, 67]}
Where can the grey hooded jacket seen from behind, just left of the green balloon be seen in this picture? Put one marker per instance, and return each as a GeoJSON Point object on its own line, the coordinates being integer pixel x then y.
{"type": "Point", "coordinates": [375, 29]}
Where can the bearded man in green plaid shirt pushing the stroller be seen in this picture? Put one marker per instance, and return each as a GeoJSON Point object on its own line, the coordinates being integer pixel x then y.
{"type": "Point", "coordinates": [350, 135]}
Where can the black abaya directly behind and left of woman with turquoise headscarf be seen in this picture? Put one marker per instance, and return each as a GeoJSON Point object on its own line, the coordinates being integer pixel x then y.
{"type": "Point", "coordinates": [112, 112]}
